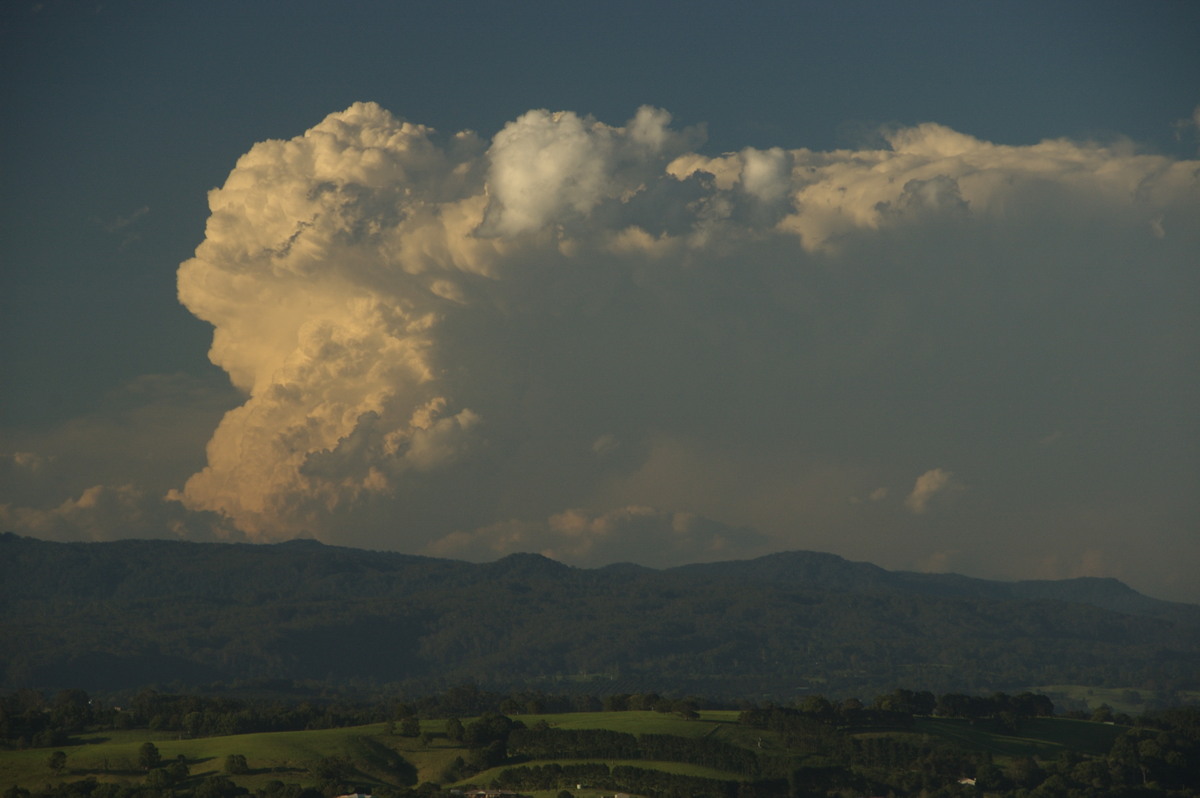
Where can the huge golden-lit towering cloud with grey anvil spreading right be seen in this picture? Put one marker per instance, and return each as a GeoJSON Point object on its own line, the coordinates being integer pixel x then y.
{"type": "Point", "coordinates": [446, 341]}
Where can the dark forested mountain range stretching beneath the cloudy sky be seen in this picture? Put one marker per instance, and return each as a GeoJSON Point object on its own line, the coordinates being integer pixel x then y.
{"type": "Point", "coordinates": [128, 614]}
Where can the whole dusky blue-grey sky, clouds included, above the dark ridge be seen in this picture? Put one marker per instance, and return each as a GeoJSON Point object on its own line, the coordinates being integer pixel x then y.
{"type": "Point", "coordinates": [914, 284]}
